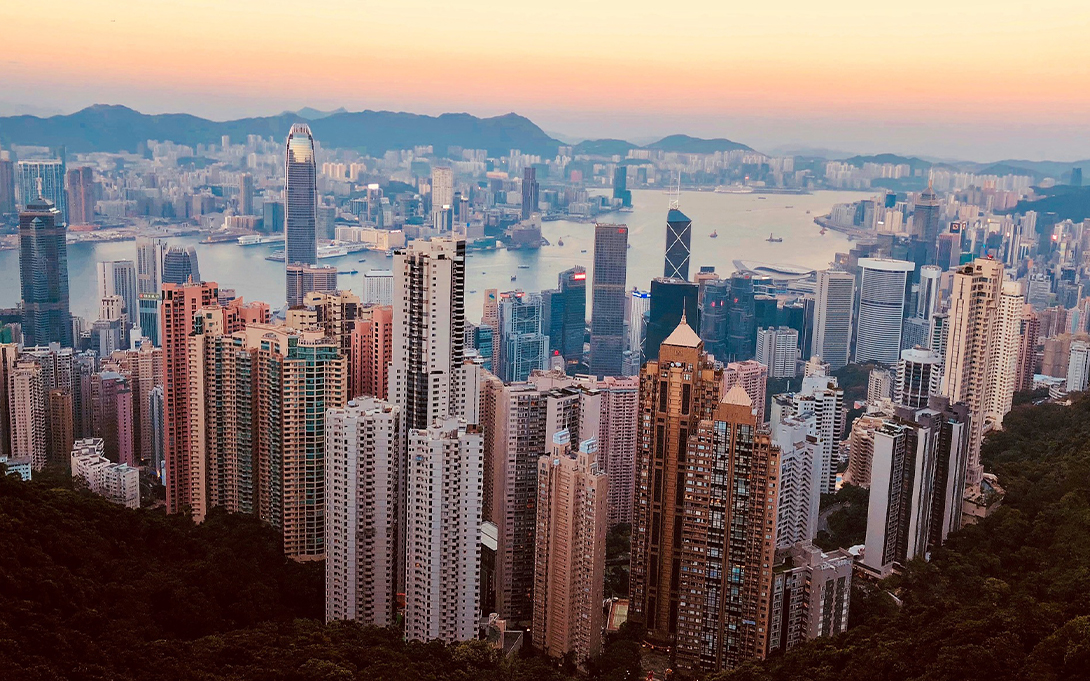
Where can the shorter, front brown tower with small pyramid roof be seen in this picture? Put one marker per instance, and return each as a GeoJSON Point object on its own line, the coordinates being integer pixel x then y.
{"type": "Point", "coordinates": [729, 540]}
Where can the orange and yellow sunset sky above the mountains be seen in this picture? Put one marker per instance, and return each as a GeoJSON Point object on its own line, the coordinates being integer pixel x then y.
{"type": "Point", "coordinates": [978, 80]}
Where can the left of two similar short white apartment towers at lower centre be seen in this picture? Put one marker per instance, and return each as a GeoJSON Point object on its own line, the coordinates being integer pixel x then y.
{"type": "Point", "coordinates": [364, 448]}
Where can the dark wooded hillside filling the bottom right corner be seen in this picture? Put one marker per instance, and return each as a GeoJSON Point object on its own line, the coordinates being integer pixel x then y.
{"type": "Point", "coordinates": [1006, 600]}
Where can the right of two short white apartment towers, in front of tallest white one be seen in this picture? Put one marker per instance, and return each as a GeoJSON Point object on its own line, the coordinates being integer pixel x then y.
{"type": "Point", "coordinates": [443, 532]}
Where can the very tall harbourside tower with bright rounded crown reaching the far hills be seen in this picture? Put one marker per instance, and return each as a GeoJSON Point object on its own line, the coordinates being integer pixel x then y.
{"type": "Point", "coordinates": [301, 198]}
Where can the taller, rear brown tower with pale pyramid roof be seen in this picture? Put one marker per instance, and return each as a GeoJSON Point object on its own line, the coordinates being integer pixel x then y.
{"type": "Point", "coordinates": [677, 392]}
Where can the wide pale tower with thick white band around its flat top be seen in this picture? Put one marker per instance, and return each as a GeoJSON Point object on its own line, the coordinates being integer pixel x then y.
{"type": "Point", "coordinates": [881, 310]}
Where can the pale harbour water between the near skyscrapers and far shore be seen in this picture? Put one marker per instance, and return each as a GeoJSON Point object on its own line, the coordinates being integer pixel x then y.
{"type": "Point", "coordinates": [743, 222]}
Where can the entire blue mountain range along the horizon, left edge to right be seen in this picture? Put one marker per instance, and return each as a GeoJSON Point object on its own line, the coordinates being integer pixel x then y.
{"type": "Point", "coordinates": [111, 128]}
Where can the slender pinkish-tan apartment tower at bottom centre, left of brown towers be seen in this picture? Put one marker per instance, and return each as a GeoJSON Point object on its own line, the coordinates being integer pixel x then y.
{"type": "Point", "coordinates": [571, 557]}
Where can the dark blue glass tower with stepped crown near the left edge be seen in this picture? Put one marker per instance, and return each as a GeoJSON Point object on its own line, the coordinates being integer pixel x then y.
{"type": "Point", "coordinates": [43, 274]}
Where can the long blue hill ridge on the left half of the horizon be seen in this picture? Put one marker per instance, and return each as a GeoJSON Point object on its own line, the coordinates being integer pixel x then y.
{"type": "Point", "coordinates": [115, 129]}
